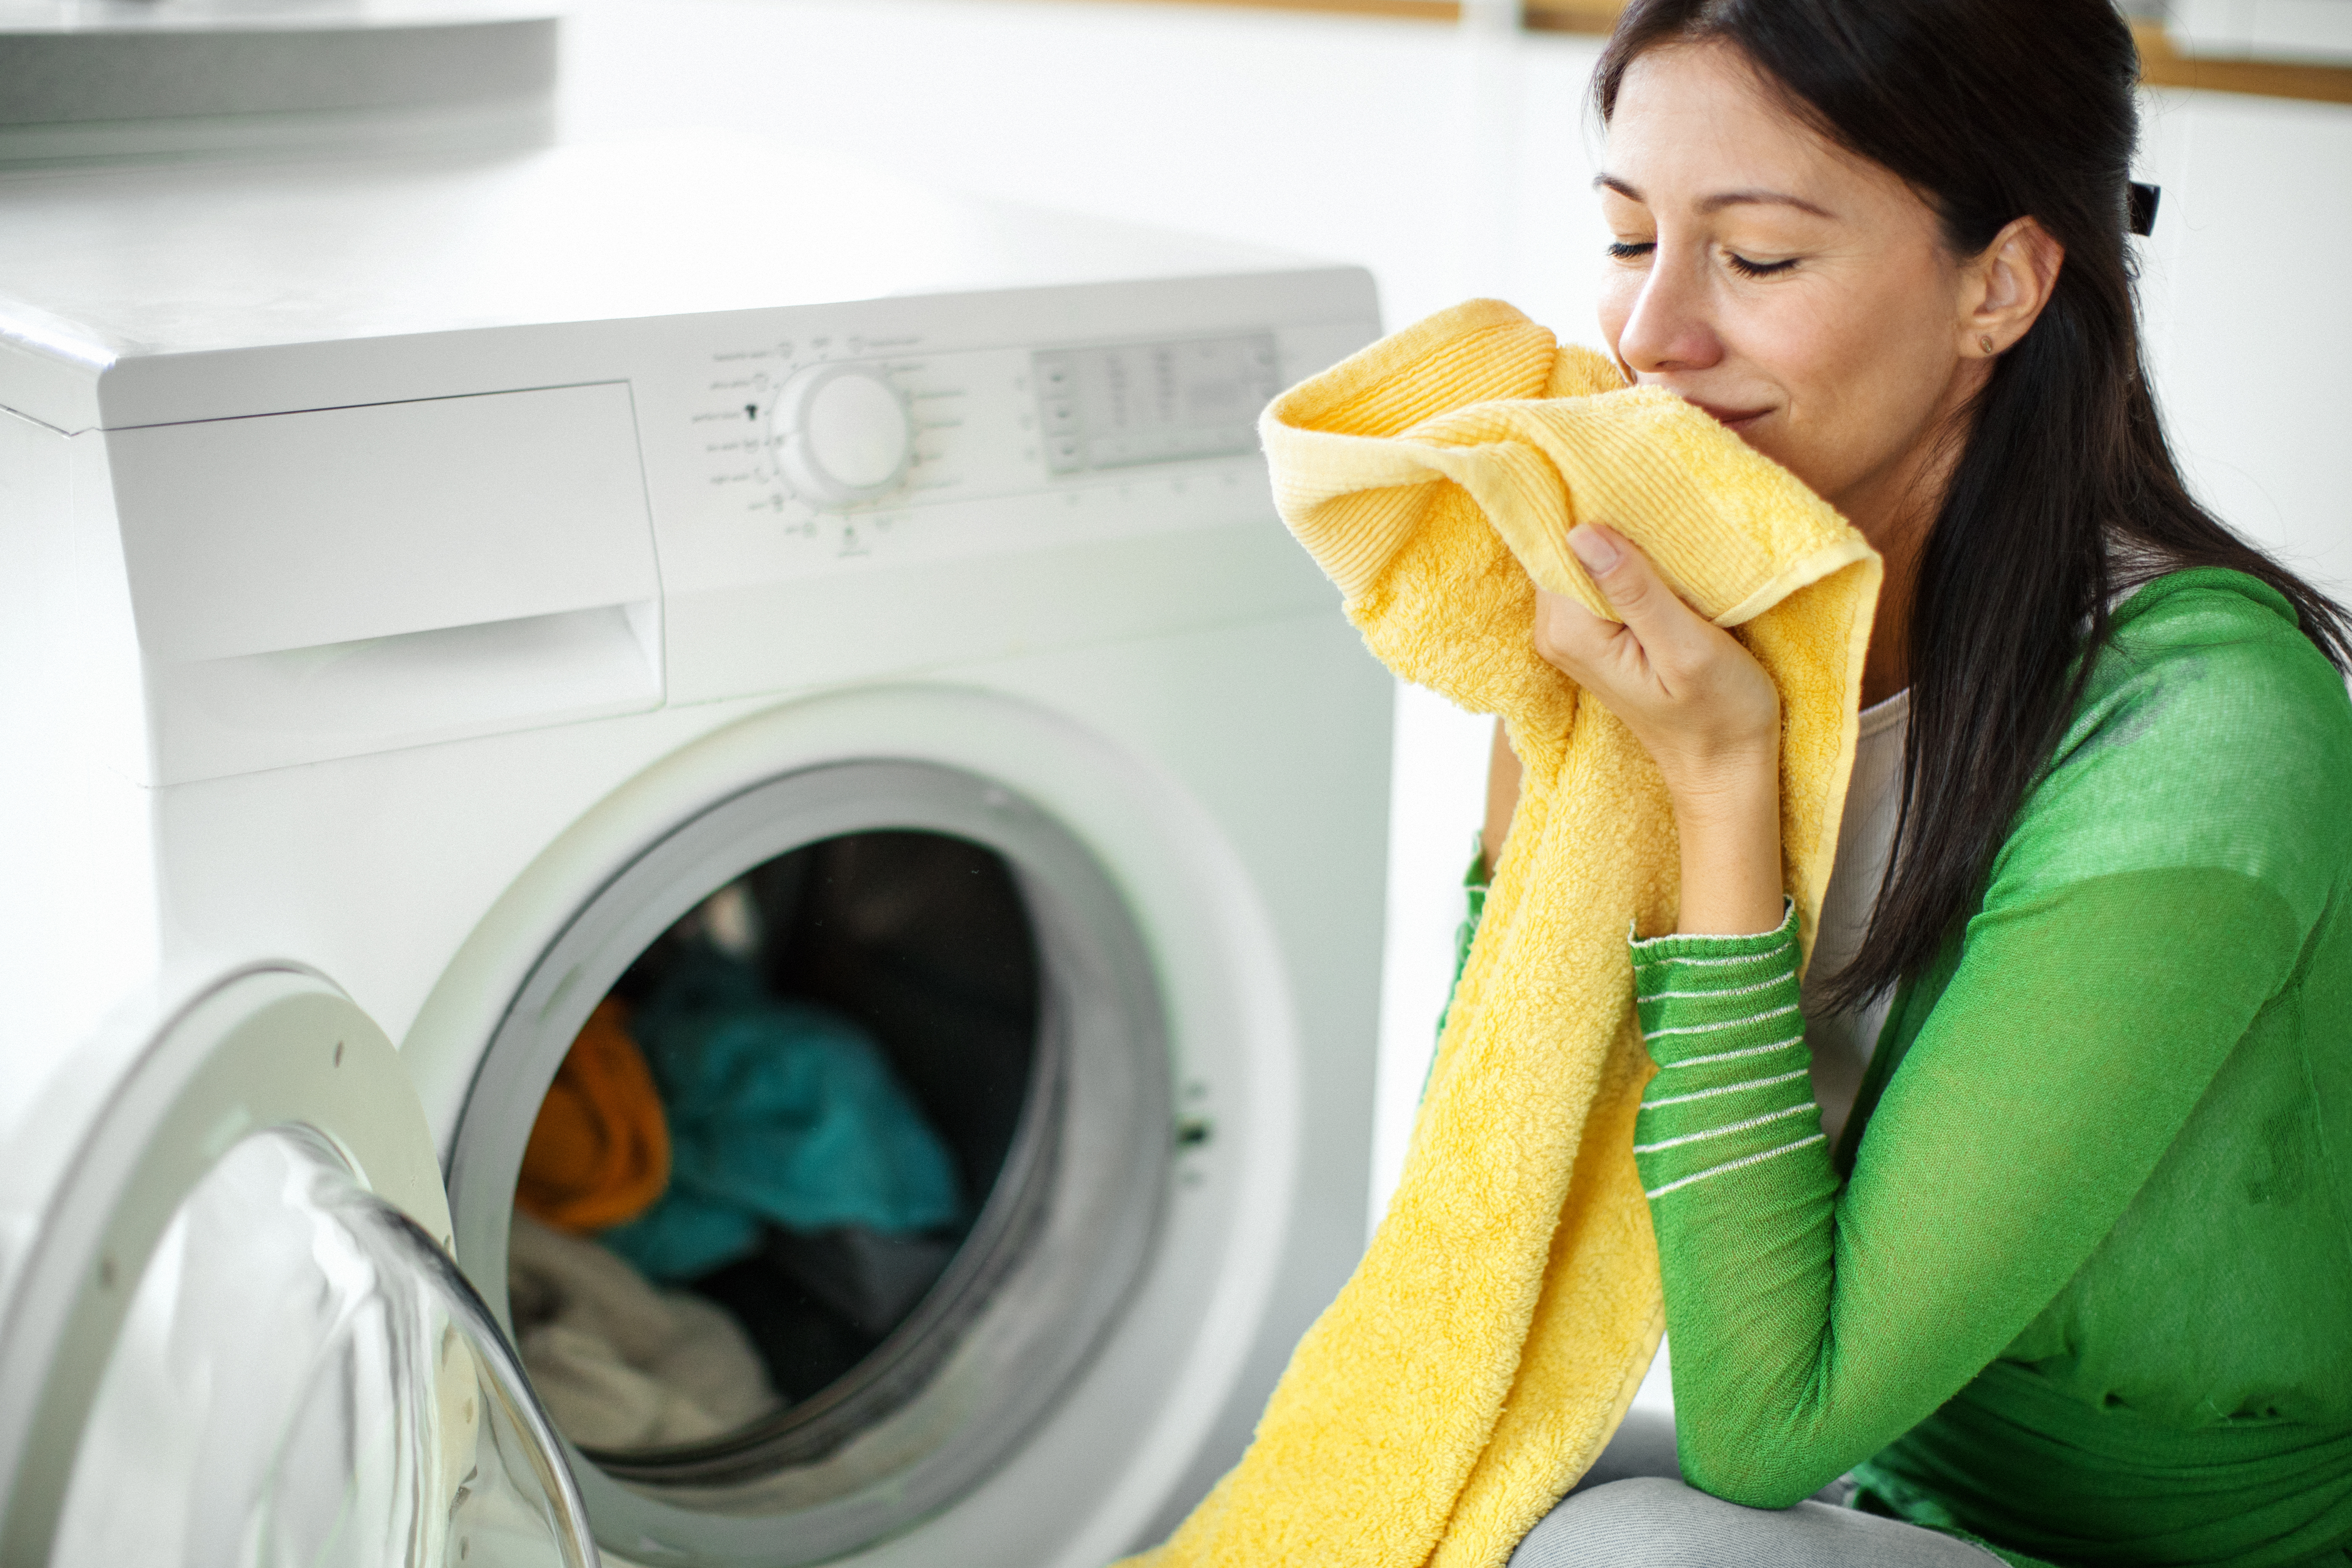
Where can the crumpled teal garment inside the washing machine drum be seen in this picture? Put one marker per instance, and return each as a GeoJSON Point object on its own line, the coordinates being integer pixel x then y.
{"type": "Point", "coordinates": [782, 1113]}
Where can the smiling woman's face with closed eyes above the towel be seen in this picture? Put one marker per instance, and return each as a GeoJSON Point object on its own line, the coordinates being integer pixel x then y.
{"type": "Point", "coordinates": [1793, 290]}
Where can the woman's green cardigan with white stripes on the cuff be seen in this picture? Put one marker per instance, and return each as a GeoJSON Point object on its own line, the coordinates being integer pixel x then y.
{"type": "Point", "coordinates": [2080, 1280]}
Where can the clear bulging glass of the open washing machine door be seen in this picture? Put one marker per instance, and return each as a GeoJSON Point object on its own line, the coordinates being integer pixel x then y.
{"type": "Point", "coordinates": [307, 1381]}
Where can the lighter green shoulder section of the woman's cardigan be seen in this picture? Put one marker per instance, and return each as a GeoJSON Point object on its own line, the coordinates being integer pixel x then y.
{"type": "Point", "coordinates": [2210, 735]}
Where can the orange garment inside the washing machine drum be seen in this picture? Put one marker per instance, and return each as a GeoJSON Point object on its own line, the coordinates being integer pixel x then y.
{"type": "Point", "coordinates": [601, 1148]}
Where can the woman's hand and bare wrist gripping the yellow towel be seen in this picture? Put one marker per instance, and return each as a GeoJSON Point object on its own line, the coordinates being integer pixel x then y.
{"type": "Point", "coordinates": [1706, 713]}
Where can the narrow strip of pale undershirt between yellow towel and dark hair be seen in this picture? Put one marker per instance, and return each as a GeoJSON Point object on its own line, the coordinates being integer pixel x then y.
{"type": "Point", "coordinates": [1843, 1043]}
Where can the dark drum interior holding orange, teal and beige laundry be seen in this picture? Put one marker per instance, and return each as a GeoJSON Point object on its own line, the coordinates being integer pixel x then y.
{"type": "Point", "coordinates": [784, 1160]}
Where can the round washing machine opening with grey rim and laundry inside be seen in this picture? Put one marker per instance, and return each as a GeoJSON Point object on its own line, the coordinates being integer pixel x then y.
{"type": "Point", "coordinates": [815, 1158]}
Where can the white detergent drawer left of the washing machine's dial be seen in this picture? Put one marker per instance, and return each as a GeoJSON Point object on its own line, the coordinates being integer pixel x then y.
{"type": "Point", "coordinates": [345, 582]}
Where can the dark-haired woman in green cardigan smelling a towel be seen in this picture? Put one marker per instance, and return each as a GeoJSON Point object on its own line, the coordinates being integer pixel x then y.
{"type": "Point", "coordinates": [2069, 1271]}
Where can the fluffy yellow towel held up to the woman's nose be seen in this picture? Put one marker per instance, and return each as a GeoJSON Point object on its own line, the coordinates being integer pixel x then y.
{"type": "Point", "coordinates": [1509, 1306]}
